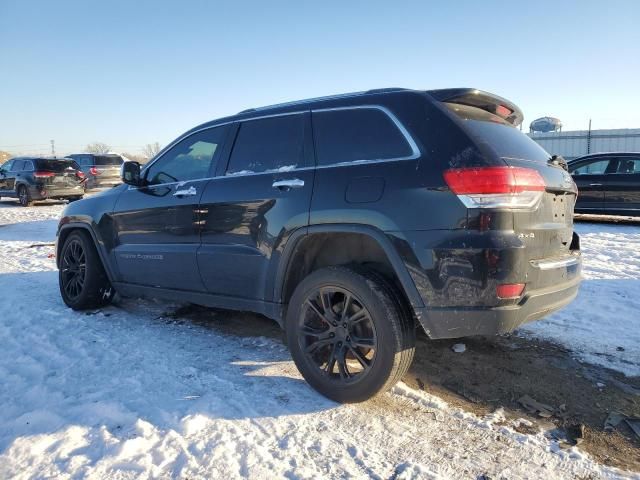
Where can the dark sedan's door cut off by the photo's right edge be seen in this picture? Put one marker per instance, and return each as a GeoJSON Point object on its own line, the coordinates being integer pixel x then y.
{"type": "Point", "coordinates": [622, 185]}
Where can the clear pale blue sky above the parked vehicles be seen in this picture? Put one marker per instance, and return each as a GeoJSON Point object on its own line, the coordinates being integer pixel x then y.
{"type": "Point", "coordinates": [133, 72]}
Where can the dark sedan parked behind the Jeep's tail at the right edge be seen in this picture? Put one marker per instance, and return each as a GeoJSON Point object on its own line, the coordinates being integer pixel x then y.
{"type": "Point", "coordinates": [608, 183]}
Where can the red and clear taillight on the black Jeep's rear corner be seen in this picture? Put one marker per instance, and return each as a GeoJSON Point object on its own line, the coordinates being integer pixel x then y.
{"type": "Point", "coordinates": [496, 187]}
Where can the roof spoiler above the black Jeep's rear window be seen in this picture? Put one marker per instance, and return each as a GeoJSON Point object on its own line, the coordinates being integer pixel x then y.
{"type": "Point", "coordinates": [489, 102]}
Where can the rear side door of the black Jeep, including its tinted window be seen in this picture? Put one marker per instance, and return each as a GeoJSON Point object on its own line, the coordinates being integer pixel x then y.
{"type": "Point", "coordinates": [251, 208]}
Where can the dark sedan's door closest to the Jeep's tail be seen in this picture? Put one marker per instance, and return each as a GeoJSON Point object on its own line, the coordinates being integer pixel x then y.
{"type": "Point", "coordinates": [591, 178]}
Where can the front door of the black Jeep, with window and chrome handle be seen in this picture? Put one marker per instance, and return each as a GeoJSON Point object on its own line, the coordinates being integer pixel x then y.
{"type": "Point", "coordinates": [157, 224]}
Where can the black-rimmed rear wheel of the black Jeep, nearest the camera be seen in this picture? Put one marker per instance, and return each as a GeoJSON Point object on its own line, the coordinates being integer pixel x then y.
{"type": "Point", "coordinates": [348, 333]}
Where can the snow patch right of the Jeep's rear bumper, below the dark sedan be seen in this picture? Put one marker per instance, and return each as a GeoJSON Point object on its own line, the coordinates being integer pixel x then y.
{"type": "Point", "coordinates": [602, 326]}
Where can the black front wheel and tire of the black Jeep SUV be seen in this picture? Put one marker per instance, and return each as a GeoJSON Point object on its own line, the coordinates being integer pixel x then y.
{"type": "Point", "coordinates": [82, 279]}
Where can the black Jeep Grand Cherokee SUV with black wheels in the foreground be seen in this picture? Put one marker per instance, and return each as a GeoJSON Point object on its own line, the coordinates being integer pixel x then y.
{"type": "Point", "coordinates": [350, 220]}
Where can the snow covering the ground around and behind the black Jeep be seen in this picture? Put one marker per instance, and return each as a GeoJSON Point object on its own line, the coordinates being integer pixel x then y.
{"type": "Point", "coordinates": [127, 392]}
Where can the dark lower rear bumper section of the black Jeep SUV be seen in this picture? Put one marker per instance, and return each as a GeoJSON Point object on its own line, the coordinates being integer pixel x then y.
{"type": "Point", "coordinates": [456, 322]}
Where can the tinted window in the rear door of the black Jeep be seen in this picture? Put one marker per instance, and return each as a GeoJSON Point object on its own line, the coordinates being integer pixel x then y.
{"type": "Point", "coordinates": [270, 144]}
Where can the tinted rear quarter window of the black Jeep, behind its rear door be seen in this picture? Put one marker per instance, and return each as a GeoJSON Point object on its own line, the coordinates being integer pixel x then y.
{"type": "Point", "coordinates": [357, 134]}
